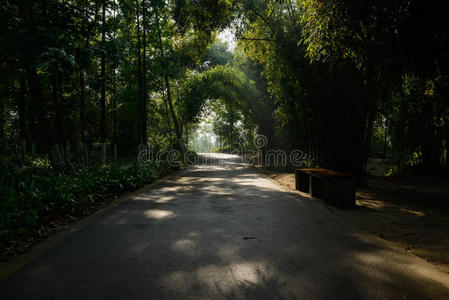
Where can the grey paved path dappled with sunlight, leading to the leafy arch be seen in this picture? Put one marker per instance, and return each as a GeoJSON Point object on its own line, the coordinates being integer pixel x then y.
{"type": "Point", "coordinates": [223, 232]}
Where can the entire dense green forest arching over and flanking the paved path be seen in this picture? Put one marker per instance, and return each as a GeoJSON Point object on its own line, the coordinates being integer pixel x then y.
{"type": "Point", "coordinates": [86, 84]}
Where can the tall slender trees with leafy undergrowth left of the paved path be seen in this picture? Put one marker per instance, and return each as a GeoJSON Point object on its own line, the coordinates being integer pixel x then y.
{"type": "Point", "coordinates": [86, 83]}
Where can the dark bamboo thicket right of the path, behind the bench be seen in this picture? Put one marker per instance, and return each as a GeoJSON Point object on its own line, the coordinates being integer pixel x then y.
{"type": "Point", "coordinates": [333, 67]}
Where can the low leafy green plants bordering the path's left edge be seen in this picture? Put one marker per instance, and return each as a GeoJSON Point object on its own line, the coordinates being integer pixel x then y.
{"type": "Point", "coordinates": [34, 194]}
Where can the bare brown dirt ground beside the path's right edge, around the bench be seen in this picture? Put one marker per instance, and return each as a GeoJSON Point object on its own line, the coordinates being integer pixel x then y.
{"type": "Point", "coordinates": [404, 219]}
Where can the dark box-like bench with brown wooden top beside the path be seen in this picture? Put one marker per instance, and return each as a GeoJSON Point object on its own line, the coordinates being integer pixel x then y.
{"type": "Point", "coordinates": [333, 187]}
